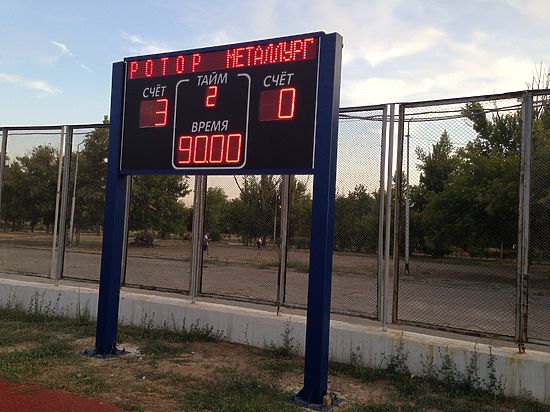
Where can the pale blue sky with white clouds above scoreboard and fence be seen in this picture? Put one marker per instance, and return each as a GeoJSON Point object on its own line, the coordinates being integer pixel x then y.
{"type": "Point", "coordinates": [56, 56]}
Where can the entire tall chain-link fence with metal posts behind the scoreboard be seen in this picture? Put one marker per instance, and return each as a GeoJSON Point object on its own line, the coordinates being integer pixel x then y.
{"type": "Point", "coordinates": [442, 218]}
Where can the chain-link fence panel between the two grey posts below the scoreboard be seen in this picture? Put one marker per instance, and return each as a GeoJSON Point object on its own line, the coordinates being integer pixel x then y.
{"type": "Point", "coordinates": [241, 237]}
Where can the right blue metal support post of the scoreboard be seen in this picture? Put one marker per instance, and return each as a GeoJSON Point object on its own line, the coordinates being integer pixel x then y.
{"type": "Point", "coordinates": [324, 186]}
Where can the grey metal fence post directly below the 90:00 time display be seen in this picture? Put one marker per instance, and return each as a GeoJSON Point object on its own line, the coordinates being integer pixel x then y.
{"type": "Point", "coordinates": [199, 203]}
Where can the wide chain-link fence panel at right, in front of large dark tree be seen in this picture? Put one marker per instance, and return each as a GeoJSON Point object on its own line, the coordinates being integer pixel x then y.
{"type": "Point", "coordinates": [458, 208]}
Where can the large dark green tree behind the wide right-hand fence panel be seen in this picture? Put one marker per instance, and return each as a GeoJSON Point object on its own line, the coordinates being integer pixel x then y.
{"type": "Point", "coordinates": [468, 198]}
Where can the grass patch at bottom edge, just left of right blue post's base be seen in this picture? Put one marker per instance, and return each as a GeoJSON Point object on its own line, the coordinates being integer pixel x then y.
{"type": "Point", "coordinates": [238, 393]}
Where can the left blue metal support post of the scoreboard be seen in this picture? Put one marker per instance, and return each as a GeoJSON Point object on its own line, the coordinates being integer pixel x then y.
{"type": "Point", "coordinates": [113, 228]}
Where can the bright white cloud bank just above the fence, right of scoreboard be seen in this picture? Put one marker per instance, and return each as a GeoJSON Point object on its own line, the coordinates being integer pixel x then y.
{"type": "Point", "coordinates": [472, 71]}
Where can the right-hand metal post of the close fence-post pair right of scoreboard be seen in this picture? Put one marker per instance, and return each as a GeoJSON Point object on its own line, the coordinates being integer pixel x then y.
{"type": "Point", "coordinates": [397, 211]}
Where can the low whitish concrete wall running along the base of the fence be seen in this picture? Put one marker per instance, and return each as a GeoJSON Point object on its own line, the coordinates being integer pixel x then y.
{"type": "Point", "coordinates": [517, 374]}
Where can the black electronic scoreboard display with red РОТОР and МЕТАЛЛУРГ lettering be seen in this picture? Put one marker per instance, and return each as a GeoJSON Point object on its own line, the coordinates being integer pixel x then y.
{"type": "Point", "coordinates": [241, 107]}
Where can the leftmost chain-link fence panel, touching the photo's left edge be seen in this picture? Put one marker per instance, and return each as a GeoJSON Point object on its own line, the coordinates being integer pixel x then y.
{"type": "Point", "coordinates": [31, 181]}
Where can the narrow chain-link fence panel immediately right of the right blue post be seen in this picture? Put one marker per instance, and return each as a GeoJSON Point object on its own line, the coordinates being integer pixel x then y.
{"type": "Point", "coordinates": [356, 261]}
